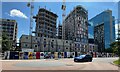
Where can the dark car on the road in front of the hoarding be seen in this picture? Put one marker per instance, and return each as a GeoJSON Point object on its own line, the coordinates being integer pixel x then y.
{"type": "Point", "coordinates": [83, 58]}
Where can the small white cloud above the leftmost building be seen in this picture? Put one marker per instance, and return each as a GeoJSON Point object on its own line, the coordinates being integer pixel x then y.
{"type": "Point", "coordinates": [17, 13]}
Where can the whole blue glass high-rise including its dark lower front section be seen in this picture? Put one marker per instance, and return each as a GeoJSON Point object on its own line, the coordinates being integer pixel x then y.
{"type": "Point", "coordinates": [103, 29]}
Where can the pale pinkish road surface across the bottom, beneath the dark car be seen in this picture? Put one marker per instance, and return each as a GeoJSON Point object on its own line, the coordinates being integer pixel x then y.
{"type": "Point", "coordinates": [60, 64]}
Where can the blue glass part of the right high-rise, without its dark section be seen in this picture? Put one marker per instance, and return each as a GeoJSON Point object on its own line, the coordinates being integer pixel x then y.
{"type": "Point", "coordinates": [107, 19]}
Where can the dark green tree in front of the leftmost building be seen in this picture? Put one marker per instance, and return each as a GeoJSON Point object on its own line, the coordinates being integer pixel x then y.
{"type": "Point", "coordinates": [6, 43]}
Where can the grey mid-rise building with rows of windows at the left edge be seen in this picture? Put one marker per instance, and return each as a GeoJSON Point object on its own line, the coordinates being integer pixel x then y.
{"type": "Point", "coordinates": [9, 27]}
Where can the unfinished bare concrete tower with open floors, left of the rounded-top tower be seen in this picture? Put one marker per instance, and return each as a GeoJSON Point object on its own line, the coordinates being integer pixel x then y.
{"type": "Point", "coordinates": [45, 23]}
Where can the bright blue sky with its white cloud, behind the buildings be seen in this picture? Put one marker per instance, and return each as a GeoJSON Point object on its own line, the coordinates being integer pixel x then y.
{"type": "Point", "coordinates": [21, 13]}
